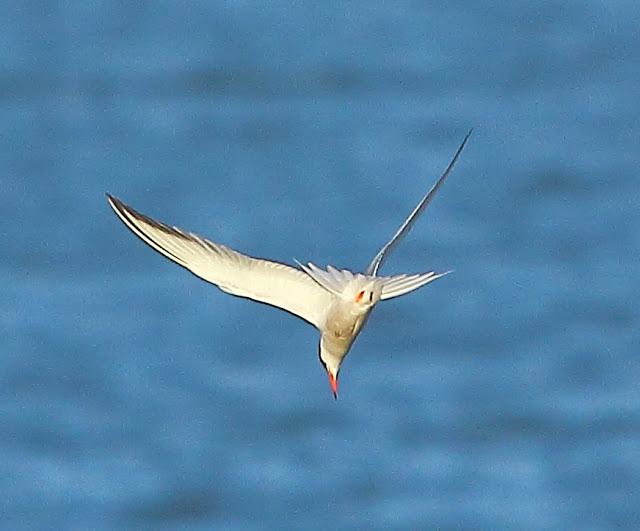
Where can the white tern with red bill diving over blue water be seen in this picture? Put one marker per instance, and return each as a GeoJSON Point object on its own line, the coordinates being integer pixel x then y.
{"type": "Point", "coordinates": [336, 302]}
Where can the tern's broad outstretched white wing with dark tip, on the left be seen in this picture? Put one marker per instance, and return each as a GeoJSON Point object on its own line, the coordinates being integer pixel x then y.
{"type": "Point", "coordinates": [261, 280]}
